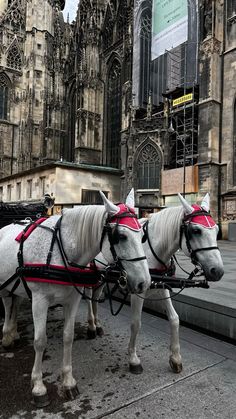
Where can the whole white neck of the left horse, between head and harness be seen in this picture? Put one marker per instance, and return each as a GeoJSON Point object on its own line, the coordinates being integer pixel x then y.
{"type": "Point", "coordinates": [81, 232]}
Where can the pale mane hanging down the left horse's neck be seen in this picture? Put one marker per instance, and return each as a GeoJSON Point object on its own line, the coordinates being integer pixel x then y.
{"type": "Point", "coordinates": [86, 223]}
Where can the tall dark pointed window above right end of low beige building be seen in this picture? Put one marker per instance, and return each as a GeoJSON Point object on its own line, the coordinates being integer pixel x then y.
{"type": "Point", "coordinates": [114, 115]}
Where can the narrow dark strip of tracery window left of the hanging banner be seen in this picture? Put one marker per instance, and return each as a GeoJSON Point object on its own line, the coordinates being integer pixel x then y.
{"type": "Point", "coordinates": [145, 32]}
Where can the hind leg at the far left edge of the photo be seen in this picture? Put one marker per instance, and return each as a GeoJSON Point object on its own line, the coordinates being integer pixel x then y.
{"type": "Point", "coordinates": [9, 331]}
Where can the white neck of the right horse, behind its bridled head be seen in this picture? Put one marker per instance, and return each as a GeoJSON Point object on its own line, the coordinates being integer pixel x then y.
{"type": "Point", "coordinates": [164, 232]}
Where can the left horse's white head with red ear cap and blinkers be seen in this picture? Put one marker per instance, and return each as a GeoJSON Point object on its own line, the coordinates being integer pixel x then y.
{"type": "Point", "coordinates": [122, 244]}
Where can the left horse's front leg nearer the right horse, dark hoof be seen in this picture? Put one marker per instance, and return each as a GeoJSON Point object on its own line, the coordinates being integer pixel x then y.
{"type": "Point", "coordinates": [69, 384]}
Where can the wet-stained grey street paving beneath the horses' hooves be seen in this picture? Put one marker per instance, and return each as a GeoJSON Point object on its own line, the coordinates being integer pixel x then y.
{"type": "Point", "coordinates": [205, 389]}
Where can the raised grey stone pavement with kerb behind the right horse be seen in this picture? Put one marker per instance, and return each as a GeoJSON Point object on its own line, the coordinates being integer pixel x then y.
{"type": "Point", "coordinates": [213, 309]}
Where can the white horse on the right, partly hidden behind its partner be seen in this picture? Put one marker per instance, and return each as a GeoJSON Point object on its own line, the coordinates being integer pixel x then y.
{"type": "Point", "coordinates": [168, 230]}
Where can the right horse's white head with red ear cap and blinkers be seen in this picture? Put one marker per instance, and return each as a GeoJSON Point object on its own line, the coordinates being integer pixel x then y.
{"type": "Point", "coordinates": [198, 238]}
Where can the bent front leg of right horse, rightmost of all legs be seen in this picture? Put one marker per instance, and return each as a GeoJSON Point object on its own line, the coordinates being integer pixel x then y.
{"type": "Point", "coordinates": [175, 357]}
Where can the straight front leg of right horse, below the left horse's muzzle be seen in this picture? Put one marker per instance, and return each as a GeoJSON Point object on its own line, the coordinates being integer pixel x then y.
{"type": "Point", "coordinates": [136, 311]}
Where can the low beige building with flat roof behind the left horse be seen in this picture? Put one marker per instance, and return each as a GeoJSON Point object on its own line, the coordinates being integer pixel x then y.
{"type": "Point", "coordinates": [65, 182]}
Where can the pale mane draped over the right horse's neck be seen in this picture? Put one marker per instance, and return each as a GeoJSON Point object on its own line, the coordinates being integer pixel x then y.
{"type": "Point", "coordinates": [166, 225]}
